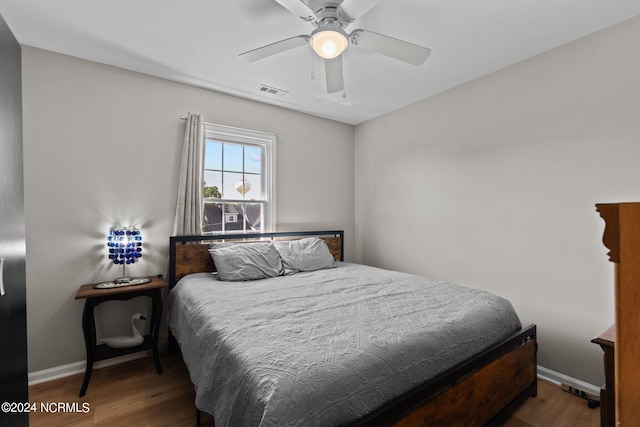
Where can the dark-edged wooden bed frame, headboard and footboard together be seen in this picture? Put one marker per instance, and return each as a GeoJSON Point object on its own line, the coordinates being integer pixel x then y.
{"type": "Point", "coordinates": [480, 391]}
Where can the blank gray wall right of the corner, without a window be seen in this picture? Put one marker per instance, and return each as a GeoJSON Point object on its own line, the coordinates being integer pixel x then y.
{"type": "Point", "coordinates": [493, 185]}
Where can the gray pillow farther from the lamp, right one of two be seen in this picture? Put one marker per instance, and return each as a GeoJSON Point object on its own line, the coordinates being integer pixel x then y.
{"type": "Point", "coordinates": [308, 254]}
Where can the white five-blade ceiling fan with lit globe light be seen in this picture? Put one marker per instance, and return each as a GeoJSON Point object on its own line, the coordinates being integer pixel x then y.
{"type": "Point", "coordinates": [329, 39]}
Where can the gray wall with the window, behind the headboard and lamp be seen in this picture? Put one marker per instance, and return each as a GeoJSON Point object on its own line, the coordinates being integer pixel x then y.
{"type": "Point", "coordinates": [102, 145]}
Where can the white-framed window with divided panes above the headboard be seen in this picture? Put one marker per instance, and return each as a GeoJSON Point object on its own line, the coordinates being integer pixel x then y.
{"type": "Point", "coordinates": [239, 177]}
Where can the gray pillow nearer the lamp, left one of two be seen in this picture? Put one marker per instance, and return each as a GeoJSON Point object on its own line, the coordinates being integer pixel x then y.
{"type": "Point", "coordinates": [247, 261]}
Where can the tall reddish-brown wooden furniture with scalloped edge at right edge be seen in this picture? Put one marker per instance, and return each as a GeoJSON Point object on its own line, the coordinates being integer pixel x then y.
{"type": "Point", "coordinates": [622, 238]}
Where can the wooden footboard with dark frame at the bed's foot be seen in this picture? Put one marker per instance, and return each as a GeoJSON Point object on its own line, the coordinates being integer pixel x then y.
{"type": "Point", "coordinates": [481, 391]}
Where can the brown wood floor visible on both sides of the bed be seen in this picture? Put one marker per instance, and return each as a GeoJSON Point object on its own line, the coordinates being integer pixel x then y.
{"type": "Point", "coordinates": [132, 394]}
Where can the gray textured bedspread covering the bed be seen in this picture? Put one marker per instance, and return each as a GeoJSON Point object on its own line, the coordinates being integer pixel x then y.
{"type": "Point", "coordinates": [326, 347]}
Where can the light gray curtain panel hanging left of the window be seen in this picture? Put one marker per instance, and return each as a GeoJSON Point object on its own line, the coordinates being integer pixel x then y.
{"type": "Point", "coordinates": [189, 207]}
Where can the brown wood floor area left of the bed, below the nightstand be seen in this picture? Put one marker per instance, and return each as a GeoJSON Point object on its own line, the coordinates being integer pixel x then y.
{"type": "Point", "coordinates": [129, 394]}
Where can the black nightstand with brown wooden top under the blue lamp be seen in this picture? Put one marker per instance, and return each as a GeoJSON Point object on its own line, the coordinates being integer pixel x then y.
{"type": "Point", "coordinates": [94, 297]}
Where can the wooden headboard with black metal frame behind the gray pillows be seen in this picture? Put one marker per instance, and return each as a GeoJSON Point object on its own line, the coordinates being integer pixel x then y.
{"type": "Point", "coordinates": [190, 254]}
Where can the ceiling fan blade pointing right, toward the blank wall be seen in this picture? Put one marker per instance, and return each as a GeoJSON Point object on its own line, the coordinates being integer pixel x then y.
{"type": "Point", "coordinates": [399, 49]}
